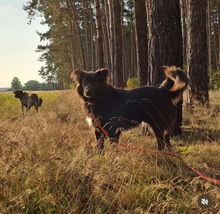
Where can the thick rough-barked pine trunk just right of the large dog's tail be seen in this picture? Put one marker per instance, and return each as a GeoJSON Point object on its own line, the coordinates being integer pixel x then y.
{"type": "Point", "coordinates": [197, 52]}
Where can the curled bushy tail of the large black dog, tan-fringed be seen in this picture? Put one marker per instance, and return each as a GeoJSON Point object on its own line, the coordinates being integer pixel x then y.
{"type": "Point", "coordinates": [175, 83]}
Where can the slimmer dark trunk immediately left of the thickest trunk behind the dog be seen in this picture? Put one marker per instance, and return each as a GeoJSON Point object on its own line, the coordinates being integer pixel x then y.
{"type": "Point", "coordinates": [142, 42]}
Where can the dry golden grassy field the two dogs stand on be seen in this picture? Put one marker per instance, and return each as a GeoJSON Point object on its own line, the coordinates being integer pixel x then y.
{"type": "Point", "coordinates": [49, 162]}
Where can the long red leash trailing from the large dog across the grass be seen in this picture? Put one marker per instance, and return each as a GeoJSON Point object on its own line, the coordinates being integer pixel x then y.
{"type": "Point", "coordinates": [214, 181]}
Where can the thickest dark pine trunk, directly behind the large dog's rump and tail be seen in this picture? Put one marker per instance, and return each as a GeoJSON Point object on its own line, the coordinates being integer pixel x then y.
{"type": "Point", "coordinates": [165, 44]}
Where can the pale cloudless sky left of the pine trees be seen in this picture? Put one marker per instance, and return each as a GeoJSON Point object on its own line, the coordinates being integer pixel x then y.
{"type": "Point", "coordinates": [18, 44]}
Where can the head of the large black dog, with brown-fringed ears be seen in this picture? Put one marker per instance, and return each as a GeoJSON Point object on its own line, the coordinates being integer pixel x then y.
{"type": "Point", "coordinates": [90, 84]}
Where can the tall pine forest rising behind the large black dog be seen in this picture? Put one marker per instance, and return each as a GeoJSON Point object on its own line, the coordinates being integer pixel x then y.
{"type": "Point", "coordinates": [132, 38]}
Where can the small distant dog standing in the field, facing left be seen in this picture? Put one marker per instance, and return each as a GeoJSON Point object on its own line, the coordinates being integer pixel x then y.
{"type": "Point", "coordinates": [28, 100]}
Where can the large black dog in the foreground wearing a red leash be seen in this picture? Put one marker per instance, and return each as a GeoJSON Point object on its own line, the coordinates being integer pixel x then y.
{"type": "Point", "coordinates": [117, 110]}
